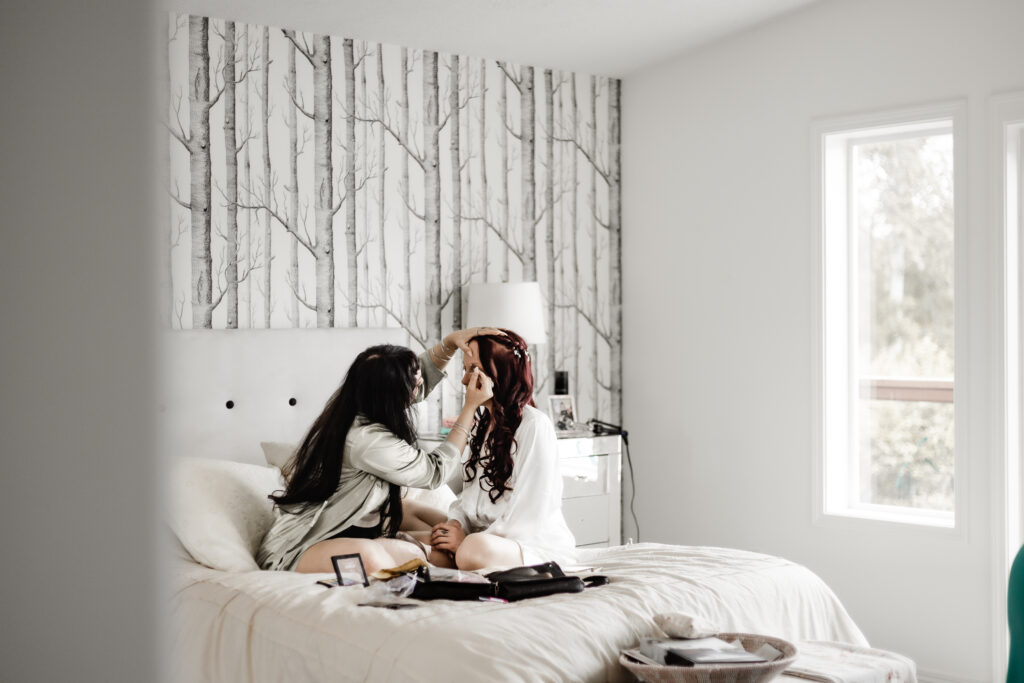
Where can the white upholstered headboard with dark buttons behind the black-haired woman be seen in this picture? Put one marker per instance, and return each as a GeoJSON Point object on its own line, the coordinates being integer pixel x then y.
{"type": "Point", "coordinates": [224, 392]}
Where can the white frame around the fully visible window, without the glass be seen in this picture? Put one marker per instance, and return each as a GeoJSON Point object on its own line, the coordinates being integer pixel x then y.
{"type": "Point", "coordinates": [836, 458]}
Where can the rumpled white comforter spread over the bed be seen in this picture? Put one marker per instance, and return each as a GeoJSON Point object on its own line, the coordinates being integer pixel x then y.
{"type": "Point", "coordinates": [281, 626]}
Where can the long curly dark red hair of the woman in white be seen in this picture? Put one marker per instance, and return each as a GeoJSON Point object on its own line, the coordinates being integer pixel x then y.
{"type": "Point", "coordinates": [506, 361]}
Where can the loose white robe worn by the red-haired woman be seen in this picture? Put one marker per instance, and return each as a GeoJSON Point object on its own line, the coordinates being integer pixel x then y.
{"type": "Point", "coordinates": [531, 510]}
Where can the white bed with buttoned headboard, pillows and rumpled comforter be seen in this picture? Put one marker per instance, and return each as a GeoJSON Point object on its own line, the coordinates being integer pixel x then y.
{"type": "Point", "coordinates": [232, 622]}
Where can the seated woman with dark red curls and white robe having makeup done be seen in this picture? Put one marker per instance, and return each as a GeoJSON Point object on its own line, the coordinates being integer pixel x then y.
{"type": "Point", "coordinates": [510, 509]}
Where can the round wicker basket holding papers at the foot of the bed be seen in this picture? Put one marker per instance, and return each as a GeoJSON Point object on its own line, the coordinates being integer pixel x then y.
{"type": "Point", "coordinates": [720, 673]}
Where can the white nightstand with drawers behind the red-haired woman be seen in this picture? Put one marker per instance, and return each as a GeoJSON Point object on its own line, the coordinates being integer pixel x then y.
{"type": "Point", "coordinates": [591, 468]}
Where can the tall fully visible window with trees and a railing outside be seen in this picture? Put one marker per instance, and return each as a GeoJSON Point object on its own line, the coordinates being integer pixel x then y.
{"type": "Point", "coordinates": [888, 320]}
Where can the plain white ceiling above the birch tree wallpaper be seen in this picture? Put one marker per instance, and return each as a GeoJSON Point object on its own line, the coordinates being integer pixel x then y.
{"type": "Point", "coordinates": [606, 37]}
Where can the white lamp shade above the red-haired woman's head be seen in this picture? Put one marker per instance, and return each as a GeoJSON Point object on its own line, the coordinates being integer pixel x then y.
{"type": "Point", "coordinates": [516, 307]}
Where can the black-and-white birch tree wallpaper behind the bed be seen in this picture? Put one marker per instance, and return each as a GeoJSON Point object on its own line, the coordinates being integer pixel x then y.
{"type": "Point", "coordinates": [326, 182]}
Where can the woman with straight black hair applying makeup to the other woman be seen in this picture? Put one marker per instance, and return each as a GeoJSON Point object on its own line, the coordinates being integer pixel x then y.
{"type": "Point", "coordinates": [344, 485]}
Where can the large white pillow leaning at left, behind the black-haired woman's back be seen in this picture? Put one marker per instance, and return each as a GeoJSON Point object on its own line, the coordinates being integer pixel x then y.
{"type": "Point", "coordinates": [221, 511]}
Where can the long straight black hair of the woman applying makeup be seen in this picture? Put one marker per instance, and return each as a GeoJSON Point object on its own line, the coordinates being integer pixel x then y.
{"type": "Point", "coordinates": [379, 387]}
